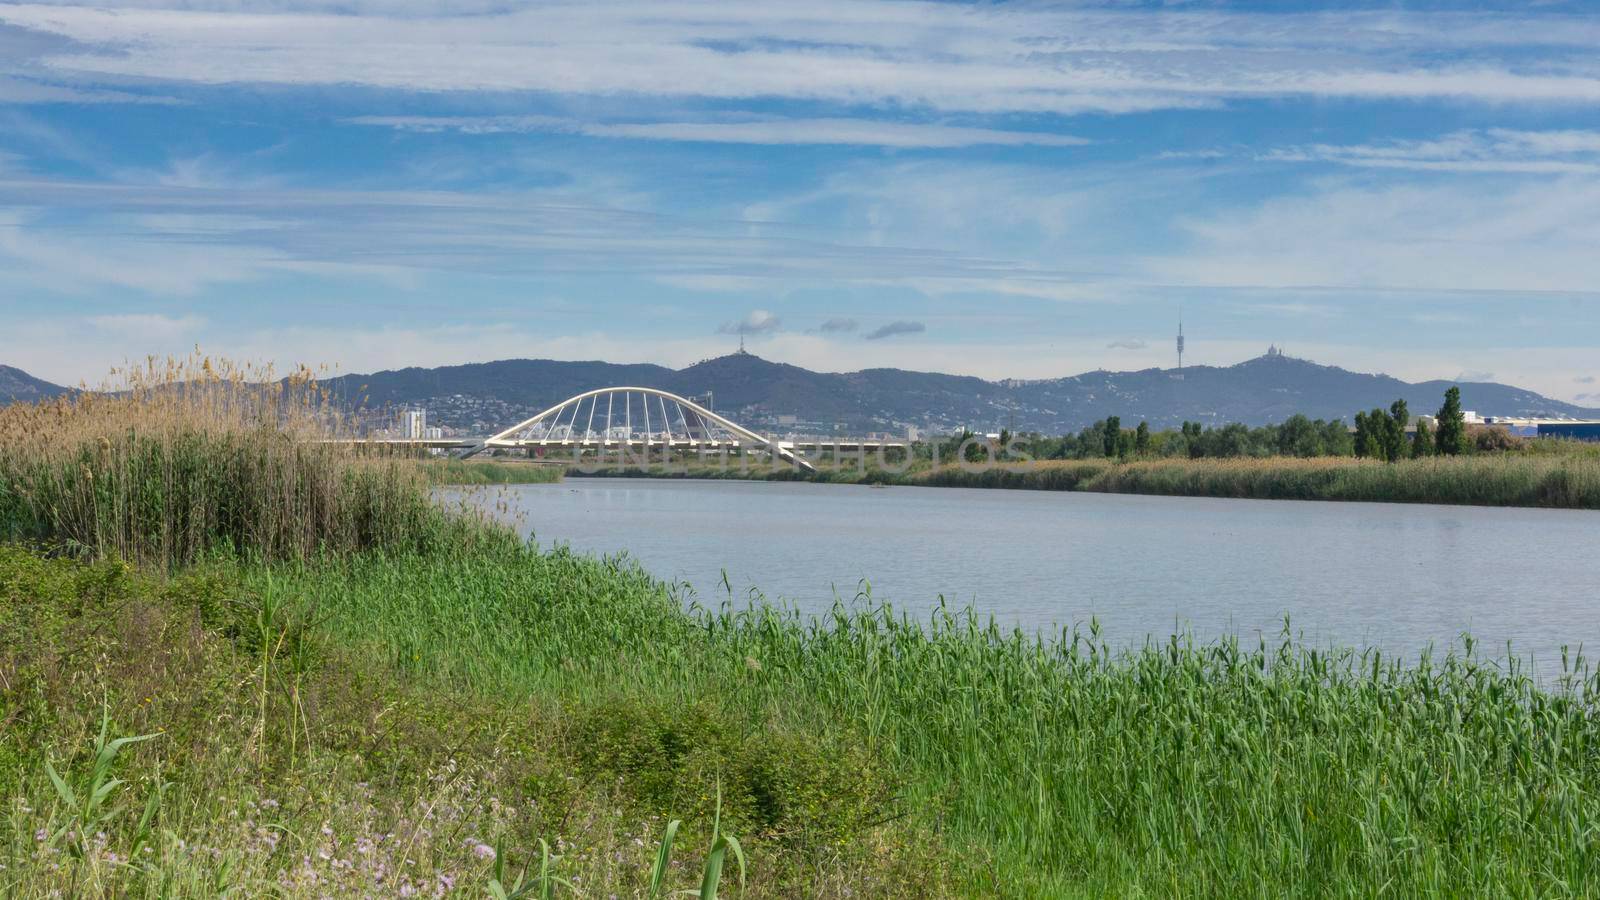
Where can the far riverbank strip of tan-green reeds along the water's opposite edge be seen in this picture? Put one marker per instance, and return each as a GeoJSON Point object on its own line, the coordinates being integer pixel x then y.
{"type": "Point", "coordinates": [1505, 480]}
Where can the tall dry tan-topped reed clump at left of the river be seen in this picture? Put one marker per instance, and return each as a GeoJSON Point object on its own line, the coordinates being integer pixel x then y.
{"type": "Point", "coordinates": [175, 459]}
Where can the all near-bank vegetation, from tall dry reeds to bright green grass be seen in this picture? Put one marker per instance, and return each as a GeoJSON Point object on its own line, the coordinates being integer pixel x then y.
{"type": "Point", "coordinates": [423, 705]}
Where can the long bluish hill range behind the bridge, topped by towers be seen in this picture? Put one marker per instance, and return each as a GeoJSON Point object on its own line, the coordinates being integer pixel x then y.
{"type": "Point", "coordinates": [490, 396]}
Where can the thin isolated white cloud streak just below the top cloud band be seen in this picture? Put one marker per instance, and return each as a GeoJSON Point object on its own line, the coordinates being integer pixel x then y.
{"type": "Point", "coordinates": [858, 132]}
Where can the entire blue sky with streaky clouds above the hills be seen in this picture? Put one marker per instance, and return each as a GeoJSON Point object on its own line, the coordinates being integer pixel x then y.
{"type": "Point", "coordinates": [1001, 190]}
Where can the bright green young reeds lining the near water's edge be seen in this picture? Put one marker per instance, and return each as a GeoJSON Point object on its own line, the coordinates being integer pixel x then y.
{"type": "Point", "coordinates": [1210, 769]}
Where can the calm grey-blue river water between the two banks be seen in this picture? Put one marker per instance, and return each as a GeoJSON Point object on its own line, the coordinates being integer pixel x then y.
{"type": "Point", "coordinates": [1391, 576]}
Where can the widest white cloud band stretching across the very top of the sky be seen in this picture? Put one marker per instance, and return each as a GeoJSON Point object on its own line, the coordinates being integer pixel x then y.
{"type": "Point", "coordinates": [943, 57]}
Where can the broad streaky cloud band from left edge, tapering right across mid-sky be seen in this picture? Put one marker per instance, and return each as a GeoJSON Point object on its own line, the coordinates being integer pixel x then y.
{"type": "Point", "coordinates": [180, 239]}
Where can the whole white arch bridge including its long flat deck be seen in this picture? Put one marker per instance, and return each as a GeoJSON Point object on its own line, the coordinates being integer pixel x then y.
{"type": "Point", "coordinates": [644, 425]}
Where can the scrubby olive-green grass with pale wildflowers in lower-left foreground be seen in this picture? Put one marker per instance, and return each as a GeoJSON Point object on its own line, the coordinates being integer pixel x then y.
{"type": "Point", "coordinates": [292, 758]}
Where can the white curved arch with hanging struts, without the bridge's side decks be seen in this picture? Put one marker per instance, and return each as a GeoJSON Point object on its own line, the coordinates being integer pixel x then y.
{"type": "Point", "coordinates": [626, 417]}
